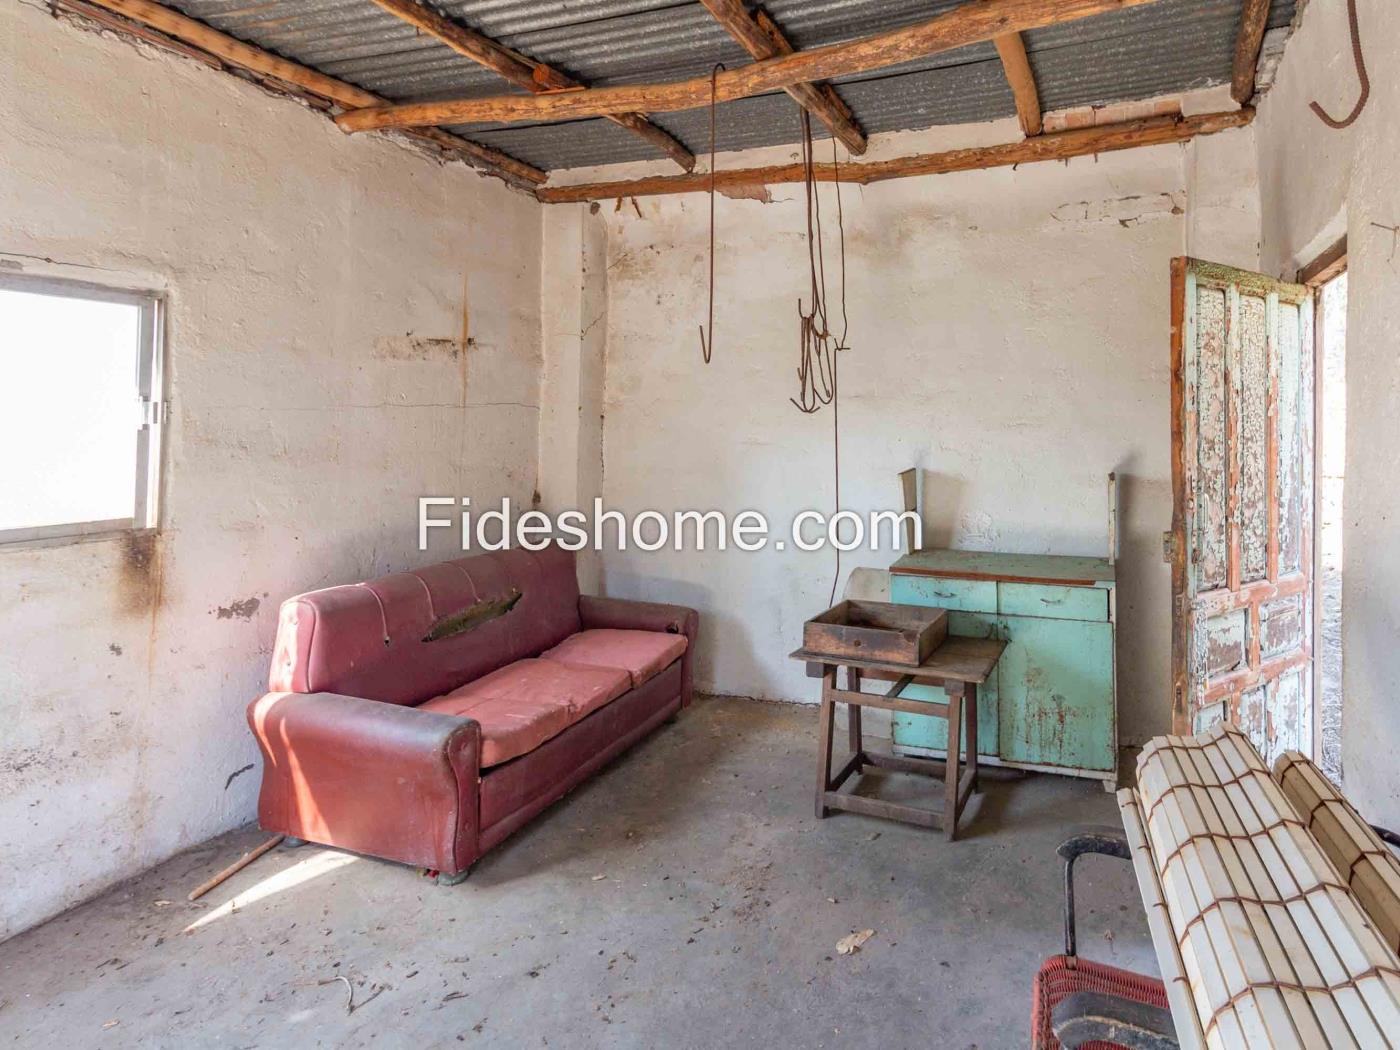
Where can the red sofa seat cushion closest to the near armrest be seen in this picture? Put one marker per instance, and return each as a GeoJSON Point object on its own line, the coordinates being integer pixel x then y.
{"type": "Point", "coordinates": [528, 702]}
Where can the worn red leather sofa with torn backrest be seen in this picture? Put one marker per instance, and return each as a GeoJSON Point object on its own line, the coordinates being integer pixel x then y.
{"type": "Point", "coordinates": [425, 716]}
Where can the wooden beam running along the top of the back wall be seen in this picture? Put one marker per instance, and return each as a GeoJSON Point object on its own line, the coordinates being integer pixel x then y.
{"type": "Point", "coordinates": [1044, 148]}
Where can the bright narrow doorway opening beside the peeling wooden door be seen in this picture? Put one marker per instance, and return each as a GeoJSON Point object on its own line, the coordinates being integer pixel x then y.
{"type": "Point", "coordinates": [1332, 467]}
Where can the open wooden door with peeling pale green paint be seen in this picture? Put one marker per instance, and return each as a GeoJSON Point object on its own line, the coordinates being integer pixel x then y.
{"type": "Point", "coordinates": [1242, 461]}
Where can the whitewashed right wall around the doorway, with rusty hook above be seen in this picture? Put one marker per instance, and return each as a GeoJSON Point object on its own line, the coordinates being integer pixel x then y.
{"type": "Point", "coordinates": [1318, 184]}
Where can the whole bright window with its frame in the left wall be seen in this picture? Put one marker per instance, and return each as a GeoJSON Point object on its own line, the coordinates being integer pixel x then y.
{"type": "Point", "coordinates": [82, 370]}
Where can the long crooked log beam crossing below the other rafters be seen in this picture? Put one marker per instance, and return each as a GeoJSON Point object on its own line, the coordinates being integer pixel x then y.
{"type": "Point", "coordinates": [971, 23]}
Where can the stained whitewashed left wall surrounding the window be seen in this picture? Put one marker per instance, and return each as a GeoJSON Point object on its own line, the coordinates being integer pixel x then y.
{"type": "Point", "coordinates": [317, 292]}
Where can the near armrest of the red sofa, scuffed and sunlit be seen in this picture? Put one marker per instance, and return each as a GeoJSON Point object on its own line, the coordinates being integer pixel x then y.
{"type": "Point", "coordinates": [370, 776]}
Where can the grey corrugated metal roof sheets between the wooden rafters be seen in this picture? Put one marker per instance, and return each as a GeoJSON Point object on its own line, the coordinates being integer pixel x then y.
{"type": "Point", "coordinates": [1160, 48]}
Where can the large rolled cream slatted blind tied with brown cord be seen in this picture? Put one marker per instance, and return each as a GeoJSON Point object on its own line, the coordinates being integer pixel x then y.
{"type": "Point", "coordinates": [1272, 946]}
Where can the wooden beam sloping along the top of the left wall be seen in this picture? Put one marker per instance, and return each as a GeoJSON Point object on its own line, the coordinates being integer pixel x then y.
{"type": "Point", "coordinates": [262, 64]}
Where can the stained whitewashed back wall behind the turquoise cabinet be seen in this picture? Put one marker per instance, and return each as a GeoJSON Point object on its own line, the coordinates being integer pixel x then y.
{"type": "Point", "coordinates": [1010, 337]}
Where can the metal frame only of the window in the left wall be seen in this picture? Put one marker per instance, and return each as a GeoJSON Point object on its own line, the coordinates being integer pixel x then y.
{"type": "Point", "coordinates": [150, 393]}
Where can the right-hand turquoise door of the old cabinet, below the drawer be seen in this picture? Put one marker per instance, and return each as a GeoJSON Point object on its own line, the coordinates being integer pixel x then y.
{"type": "Point", "coordinates": [1056, 691]}
